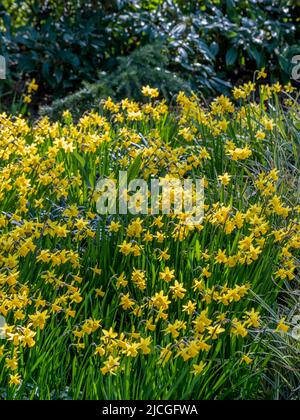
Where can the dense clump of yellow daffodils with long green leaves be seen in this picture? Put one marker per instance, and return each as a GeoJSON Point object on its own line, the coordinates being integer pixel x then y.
{"type": "Point", "coordinates": [114, 295]}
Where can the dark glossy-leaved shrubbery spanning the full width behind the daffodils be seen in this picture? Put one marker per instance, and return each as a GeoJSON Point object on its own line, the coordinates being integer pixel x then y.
{"type": "Point", "coordinates": [208, 43]}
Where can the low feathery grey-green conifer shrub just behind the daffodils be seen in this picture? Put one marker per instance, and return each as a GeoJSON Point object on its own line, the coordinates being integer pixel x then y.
{"type": "Point", "coordinates": [145, 66]}
